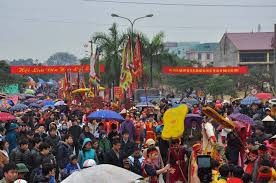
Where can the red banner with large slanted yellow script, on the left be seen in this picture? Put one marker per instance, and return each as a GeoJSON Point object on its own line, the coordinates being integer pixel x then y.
{"type": "Point", "coordinates": [52, 69]}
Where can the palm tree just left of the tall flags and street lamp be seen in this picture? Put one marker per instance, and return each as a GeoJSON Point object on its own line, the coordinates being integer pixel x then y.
{"type": "Point", "coordinates": [111, 46]}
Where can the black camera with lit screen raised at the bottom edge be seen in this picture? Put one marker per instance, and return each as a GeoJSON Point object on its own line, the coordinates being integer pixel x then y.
{"type": "Point", "coordinates": [204, 168]}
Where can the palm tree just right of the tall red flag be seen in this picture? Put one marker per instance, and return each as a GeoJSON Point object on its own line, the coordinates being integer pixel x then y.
{"type": "Point", "coordinates": [152, 51]}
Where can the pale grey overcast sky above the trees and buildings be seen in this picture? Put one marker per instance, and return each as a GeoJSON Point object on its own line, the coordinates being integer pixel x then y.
{"type": "Point", "coordinates": [38, 28]}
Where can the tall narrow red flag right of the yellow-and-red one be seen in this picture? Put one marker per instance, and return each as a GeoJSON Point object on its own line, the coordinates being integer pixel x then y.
{"type": "Point", "coordinates": [137, 60]}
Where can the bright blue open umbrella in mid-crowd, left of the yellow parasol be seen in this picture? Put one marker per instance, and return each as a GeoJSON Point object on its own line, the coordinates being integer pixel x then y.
{"type": "Point", "coordinates": [106, 114]}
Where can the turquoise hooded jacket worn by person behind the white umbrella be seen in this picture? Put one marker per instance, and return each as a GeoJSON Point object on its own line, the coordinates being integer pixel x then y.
{"type": "Point", "coordinates": [85, 155]}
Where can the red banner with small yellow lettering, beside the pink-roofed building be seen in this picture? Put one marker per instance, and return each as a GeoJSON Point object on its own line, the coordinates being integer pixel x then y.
{"type": "Point", "coordinates": [205, 70]}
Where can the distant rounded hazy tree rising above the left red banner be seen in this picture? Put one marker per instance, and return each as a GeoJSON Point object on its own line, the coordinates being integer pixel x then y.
{"type": "Point", "coordinates": [62, 58]}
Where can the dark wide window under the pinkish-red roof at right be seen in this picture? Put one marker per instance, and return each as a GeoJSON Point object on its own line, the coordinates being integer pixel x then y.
{"type": "Point", "coordinates": [253, 57]}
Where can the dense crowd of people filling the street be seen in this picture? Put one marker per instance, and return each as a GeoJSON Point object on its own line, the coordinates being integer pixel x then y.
{"type": "Point", "coordinates": [50, 145]}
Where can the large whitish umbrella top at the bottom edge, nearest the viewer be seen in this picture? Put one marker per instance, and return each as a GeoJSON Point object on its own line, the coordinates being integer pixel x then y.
{"type": "Point", "coordinates": [103, 173]}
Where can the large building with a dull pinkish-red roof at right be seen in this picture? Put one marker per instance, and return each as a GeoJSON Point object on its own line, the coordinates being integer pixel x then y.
{"type": "Point", "coordinates": [253, 49]}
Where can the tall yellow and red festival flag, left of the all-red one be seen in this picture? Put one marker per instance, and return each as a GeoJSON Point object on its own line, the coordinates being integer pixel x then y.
{"type": "Point", "coordinates": [125, 77]}
